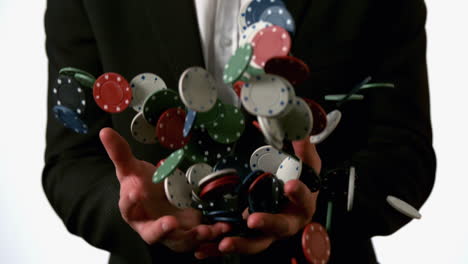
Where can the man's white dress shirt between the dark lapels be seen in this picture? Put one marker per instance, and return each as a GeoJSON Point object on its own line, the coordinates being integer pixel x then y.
{"type": "Point", "coordinates": [219, 33]}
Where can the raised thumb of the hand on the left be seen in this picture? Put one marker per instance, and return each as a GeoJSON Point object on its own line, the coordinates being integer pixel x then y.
{"type": "Point", "coordinates": [118, 150]}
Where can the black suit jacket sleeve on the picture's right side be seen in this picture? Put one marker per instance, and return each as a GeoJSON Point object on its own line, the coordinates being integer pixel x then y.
{"type": "Point", "coordinates": [397, 157]}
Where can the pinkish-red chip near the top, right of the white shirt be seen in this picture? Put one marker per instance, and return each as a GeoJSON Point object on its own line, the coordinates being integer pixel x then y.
{"type": "Point", "coordinates": [270, 42]}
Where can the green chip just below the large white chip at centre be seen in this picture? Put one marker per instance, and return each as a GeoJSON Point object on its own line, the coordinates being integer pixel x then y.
{"type": "Point", "coordinates": [229, 126]}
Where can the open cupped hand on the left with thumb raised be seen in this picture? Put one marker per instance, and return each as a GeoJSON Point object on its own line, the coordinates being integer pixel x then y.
{"type": "Point", "coordinates": [144, 206]}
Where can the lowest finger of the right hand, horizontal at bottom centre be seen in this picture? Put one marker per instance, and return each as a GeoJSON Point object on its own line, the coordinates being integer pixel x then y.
{"type": "Point", "coordinates": [243, 245]}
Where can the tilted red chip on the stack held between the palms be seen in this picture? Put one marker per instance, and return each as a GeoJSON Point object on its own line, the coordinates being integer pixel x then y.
{"type": "Point", "coordinates": [219, 187]}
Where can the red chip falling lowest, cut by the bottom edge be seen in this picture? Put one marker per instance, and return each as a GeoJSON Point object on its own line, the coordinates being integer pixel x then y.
{"type": "Point", "coordinates": [315, 244]}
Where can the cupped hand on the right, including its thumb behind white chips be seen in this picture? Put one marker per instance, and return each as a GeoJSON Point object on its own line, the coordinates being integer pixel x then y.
{"type": "Point", "coordinates": [298, 213]}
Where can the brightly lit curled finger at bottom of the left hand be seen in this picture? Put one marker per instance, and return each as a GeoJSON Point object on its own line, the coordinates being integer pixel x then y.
{"type": "Point", "coordinates": [155, 231]}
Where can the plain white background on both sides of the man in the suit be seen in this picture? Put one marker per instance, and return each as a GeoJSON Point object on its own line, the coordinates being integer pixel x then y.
{"type": "Point", "coordinates": [30, 232]}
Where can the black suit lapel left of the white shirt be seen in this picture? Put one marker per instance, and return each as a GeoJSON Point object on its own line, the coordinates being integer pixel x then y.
{"type": "Point", "coordinates": [175, 25]}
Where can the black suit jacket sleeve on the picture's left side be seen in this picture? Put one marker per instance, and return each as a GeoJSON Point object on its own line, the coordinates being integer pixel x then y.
{"type": "Point", "coordinates": [78, 178]}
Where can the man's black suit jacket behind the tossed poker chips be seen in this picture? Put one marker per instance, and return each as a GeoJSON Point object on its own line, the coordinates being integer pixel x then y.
{"type": "Point", "coordinates": [387, 136]}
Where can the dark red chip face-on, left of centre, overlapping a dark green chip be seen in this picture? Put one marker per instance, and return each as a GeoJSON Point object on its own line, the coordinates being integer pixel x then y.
{"type": "Point", "coordinates": [169, 129]}
